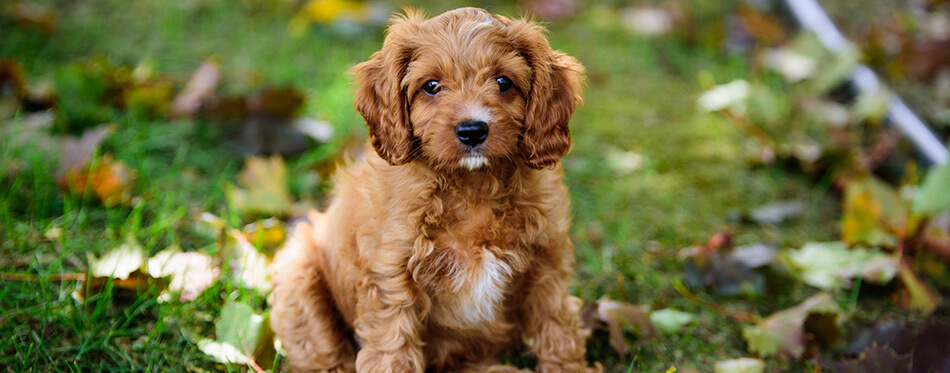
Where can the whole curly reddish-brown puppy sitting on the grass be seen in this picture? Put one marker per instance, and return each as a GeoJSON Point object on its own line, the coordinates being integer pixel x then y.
{"type": "Point", "coordinates": [448, 246]}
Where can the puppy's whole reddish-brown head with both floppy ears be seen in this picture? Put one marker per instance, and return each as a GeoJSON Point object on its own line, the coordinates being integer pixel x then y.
{"type": "Point", "coordinates": [468, 90]}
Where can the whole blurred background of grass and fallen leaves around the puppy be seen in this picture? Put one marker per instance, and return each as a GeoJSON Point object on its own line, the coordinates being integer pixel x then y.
{"type": "Point", "coordinates": [739, 201]}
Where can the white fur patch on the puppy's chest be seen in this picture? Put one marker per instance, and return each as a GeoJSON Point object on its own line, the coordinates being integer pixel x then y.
{"type": "Point", "coordinates": [486, 291]}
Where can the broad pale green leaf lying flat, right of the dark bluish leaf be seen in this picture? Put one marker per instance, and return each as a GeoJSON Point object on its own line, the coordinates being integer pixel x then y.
{"type": "Point", "coordinates": [831, 265]}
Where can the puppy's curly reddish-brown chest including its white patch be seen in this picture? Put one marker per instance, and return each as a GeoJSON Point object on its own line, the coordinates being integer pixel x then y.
{"type": "Point", "coordinates": [477, 257]}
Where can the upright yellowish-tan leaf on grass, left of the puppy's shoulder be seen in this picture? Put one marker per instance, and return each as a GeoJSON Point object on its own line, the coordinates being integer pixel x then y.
{"type": "Point", "coordinates": [264, 190]}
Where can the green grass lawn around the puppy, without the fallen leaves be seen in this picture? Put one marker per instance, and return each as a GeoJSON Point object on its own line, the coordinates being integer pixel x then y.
{"type": "Point", "coordinates": [650, 174]}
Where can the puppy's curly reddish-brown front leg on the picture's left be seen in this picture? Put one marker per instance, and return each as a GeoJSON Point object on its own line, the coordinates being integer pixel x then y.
{"type": "Point", "coordinates": [387, 323]}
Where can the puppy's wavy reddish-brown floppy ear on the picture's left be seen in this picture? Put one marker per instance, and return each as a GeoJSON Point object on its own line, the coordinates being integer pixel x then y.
{"type": "Point", "coordinates": [381, 96]}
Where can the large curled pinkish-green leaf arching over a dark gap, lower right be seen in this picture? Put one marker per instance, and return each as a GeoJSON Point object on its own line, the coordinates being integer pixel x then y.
{"type": "Point", "coordinates": [784, 332]}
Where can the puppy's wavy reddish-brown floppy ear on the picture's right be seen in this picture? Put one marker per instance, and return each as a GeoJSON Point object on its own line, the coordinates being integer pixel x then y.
{"type": "Point", "coordinates": [555, 91]}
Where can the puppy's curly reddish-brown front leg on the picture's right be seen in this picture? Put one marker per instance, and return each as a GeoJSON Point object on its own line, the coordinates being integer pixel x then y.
{"type": "Point", "coordinates": [551, 319]}
